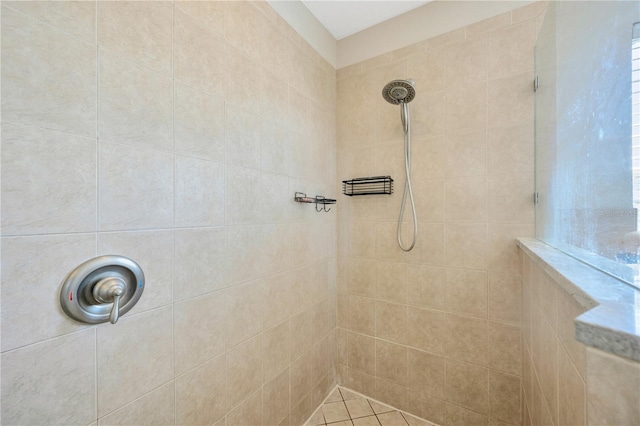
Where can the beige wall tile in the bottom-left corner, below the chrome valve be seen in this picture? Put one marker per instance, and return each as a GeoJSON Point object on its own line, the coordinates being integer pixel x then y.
{"type": "Point", "coordinates": [35, 381]}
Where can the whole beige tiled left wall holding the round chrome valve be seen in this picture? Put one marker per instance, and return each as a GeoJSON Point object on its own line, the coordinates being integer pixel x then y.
{"type": "Point", "coordinates": [191, 125]}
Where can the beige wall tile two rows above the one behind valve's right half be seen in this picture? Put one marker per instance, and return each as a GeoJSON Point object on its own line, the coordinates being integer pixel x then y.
{"type": "Point", "coordinates": [147, 119]}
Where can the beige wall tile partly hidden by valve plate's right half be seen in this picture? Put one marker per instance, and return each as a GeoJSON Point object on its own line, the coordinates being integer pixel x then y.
{"type": "Point", "coordinates": [153, 251]}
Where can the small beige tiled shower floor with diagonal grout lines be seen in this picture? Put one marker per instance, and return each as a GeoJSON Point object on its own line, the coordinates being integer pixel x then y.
{"type": "Point", "coordinates": [344, 407]}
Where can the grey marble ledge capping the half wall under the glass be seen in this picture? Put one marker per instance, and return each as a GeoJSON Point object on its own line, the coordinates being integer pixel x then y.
{"type": "Point", "coordinates": [612, 322]}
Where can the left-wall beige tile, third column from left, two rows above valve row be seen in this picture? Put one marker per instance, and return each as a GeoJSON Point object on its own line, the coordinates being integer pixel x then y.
{"type": "Point", "coordinates": [199, 123]}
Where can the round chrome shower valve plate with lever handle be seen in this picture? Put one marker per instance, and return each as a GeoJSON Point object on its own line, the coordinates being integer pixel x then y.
{"type": "Point", "coordinates": [102, 289]}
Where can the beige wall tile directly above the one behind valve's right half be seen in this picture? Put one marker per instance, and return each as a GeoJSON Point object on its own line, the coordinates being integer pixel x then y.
{"type": "Point", "coordinates": [148, 176]}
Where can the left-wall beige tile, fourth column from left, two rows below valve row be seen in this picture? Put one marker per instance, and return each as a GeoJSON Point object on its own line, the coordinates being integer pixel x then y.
{"type": "Point", "coordinates": [244, 370]}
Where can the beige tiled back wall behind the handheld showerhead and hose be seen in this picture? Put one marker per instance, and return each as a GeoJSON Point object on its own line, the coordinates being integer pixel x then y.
{"type": "Point", "coordinates": [472, 165]}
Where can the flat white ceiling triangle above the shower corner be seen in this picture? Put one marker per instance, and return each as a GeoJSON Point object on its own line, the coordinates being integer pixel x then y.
{"type": "Point", "coordinates": [346, 17]}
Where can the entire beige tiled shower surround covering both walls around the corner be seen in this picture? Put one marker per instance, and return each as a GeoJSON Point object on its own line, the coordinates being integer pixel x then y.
{"type": "Point", "coordinates": [176, 133]}
